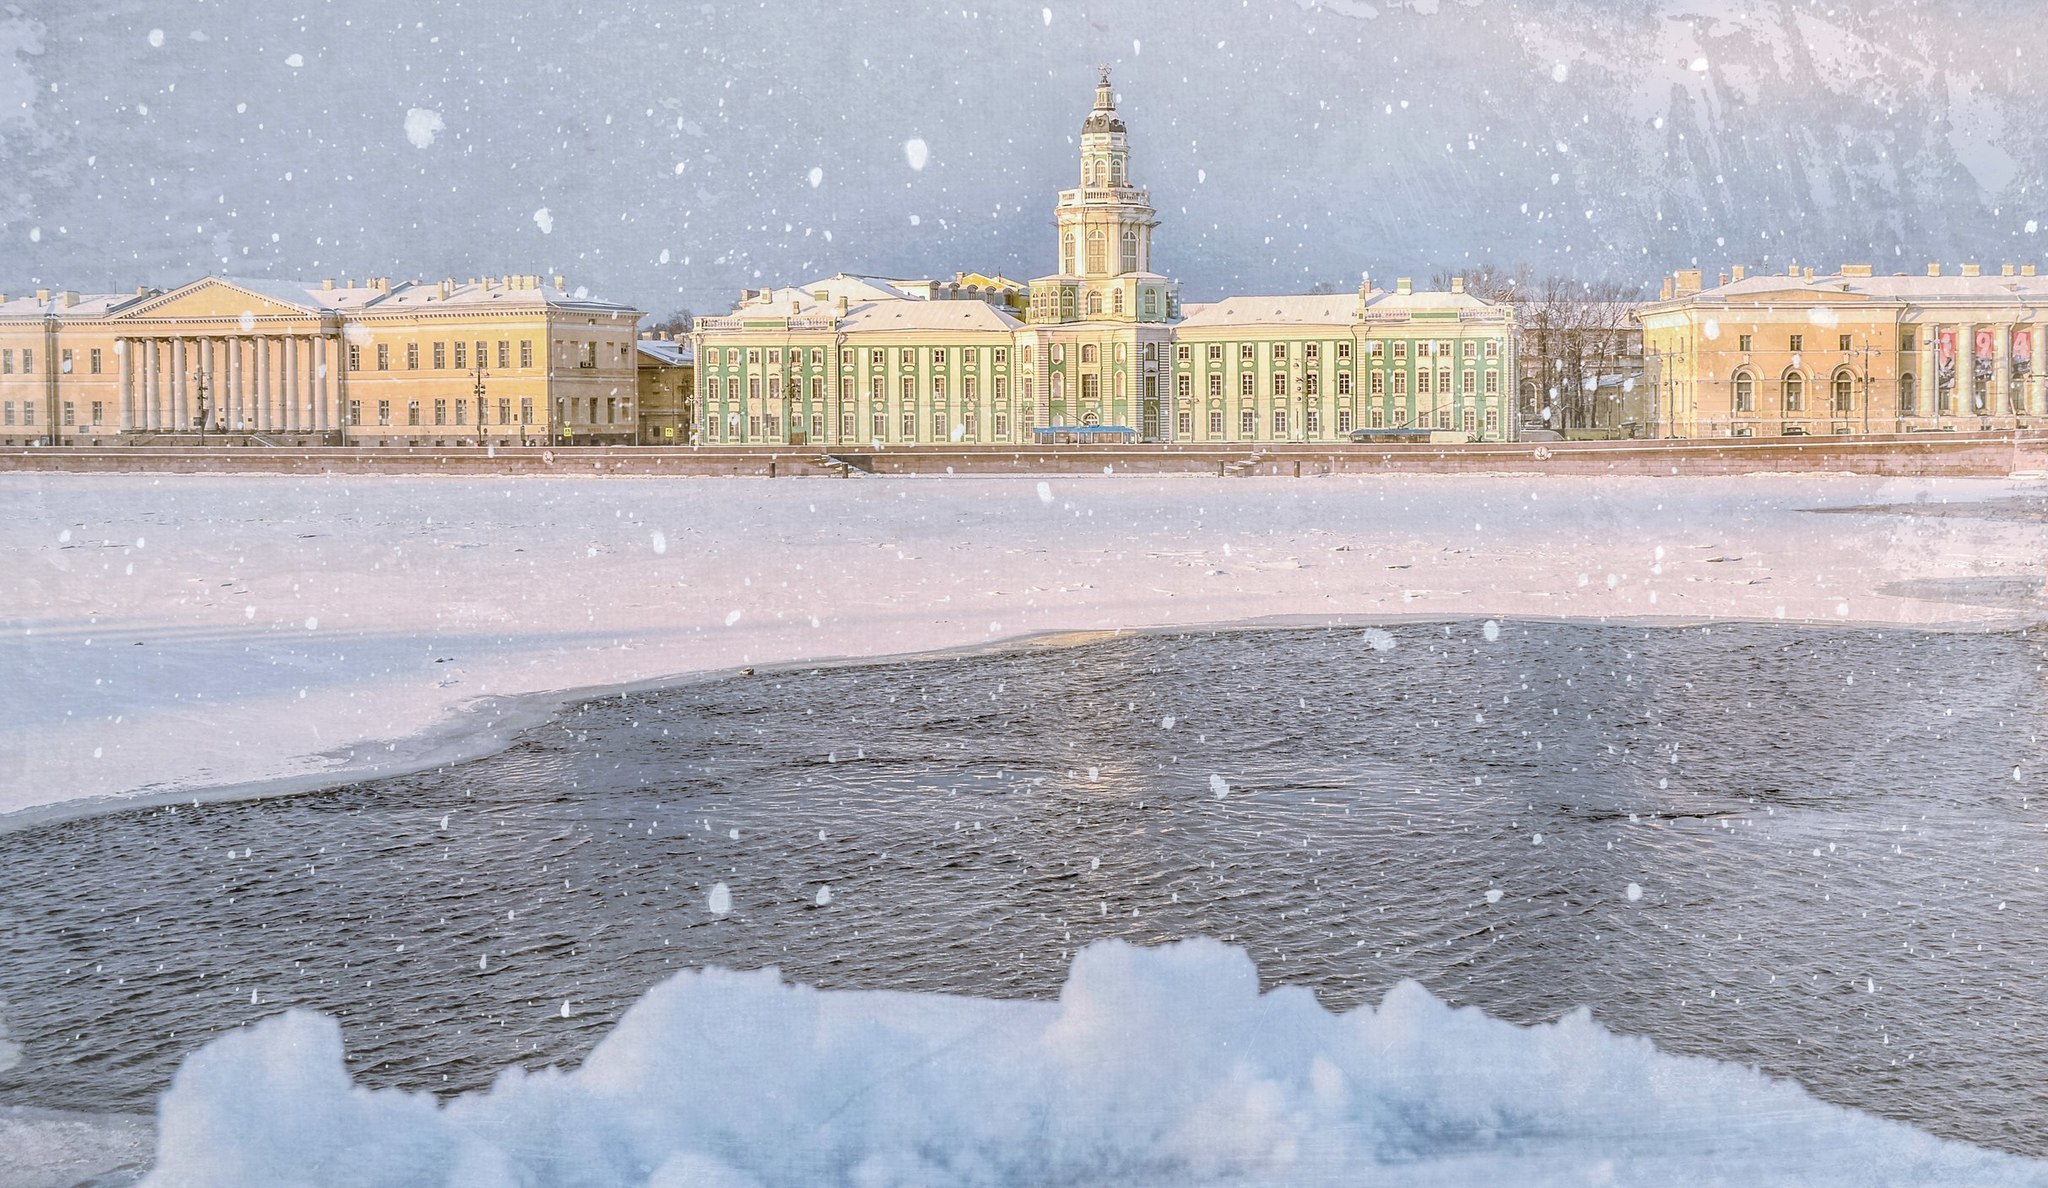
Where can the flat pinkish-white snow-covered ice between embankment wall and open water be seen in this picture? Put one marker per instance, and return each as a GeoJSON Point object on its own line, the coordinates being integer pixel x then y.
{"type": "Point", "coordinates": [185, 632]}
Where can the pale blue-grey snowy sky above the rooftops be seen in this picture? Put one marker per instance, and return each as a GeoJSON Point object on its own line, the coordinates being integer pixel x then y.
{"type": "Point", "coordinates": [671, 155]}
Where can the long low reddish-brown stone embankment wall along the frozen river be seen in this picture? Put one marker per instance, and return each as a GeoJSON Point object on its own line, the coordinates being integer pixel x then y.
{"type": "Point", "coordinates": [1981, 454]}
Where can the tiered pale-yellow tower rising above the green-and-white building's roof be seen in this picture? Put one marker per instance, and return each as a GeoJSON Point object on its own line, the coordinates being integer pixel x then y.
{"type": "Point", "coordinates": [1105, 235]}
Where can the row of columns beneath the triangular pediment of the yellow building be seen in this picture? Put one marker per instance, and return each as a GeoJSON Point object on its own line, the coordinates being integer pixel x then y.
{"type": "Point", "coordinates": [251, 382]}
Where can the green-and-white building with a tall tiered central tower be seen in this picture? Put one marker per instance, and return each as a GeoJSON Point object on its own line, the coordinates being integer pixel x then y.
{"type": "Point", "coordinates": [1105, 341]}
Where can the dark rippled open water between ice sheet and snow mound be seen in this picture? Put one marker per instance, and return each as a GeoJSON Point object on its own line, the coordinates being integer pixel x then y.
{"type": "Point", "coordinates": [1811, 851]}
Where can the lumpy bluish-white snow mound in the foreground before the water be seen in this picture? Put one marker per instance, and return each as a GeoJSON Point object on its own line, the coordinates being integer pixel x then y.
{"type": "Point", "coordinates": [1156, 1066]}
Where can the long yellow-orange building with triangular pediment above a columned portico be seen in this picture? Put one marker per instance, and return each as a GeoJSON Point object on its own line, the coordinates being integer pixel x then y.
{"type": "Point", "coordinates": [495, 362]}
